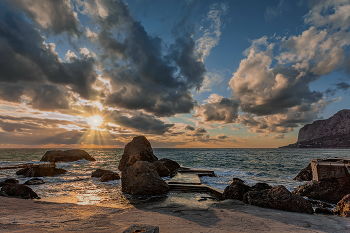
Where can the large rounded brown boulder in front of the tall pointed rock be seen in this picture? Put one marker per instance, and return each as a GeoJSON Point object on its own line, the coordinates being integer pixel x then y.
{"type": "Point", "coordinates": [141, 178]}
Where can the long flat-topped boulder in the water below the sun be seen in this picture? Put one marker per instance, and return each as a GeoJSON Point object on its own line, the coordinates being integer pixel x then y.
{"type": "Point", "coordinates": [66, 156]}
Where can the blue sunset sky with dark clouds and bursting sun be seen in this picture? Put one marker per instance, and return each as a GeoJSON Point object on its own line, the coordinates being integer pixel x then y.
{"type": "Point", "coordinates": [184, 73]}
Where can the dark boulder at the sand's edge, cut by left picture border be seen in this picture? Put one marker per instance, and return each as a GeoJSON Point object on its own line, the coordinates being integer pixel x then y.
{"type": "Point", "coordinates": [18, 190]}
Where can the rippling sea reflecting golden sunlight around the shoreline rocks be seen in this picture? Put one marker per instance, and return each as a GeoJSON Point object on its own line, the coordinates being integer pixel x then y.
{"type": "Point", "coordinates": [272, 166]}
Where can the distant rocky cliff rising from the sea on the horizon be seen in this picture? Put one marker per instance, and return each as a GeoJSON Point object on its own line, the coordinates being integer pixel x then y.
{"type": "Point", "coordinates": [333, 132]}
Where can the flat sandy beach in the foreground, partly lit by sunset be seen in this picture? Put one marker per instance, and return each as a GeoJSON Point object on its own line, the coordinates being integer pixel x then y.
{"type": "Point", "coordinates": [19, 215]}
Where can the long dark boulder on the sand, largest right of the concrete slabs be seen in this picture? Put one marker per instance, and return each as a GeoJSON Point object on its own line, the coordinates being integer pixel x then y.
{"type": "Point", "coordinates": [278, 198]}
